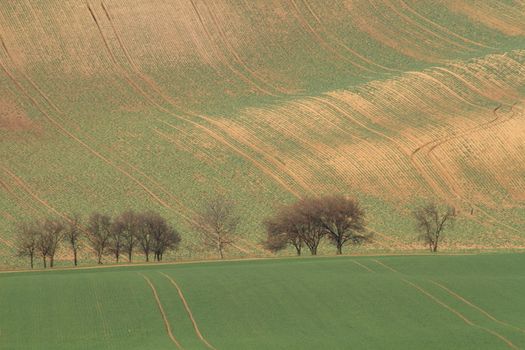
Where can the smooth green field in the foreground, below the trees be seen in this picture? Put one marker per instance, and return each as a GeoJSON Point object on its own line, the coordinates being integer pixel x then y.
{"type": "Point", "coordinates": [402, 302]}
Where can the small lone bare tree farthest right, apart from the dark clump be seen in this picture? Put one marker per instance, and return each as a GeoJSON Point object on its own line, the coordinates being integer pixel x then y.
{"type": "Point", "coordinates": [431, 220]}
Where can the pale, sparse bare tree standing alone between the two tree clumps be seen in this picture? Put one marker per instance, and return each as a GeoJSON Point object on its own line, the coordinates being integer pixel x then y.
{"type": "Point", "coordinates": [217, 224]}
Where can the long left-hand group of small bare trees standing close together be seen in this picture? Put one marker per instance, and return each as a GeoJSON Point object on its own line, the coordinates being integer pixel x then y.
{"type": "Point", "coordinates": [147, 232]}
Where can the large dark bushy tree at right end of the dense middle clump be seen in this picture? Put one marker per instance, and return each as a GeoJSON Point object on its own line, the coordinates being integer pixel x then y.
{"type": "Point", "coordinates": [342, 218]}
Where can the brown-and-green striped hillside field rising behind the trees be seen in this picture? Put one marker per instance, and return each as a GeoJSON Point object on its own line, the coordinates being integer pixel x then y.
{"type": "Point", "coordinates": [157, 104]}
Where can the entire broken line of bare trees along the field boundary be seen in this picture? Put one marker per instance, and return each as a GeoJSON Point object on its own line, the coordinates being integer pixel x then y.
{"type": "Point", "coordinates": [305, 224]}
